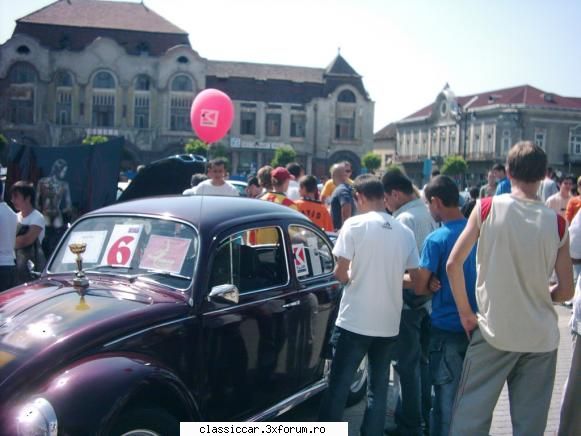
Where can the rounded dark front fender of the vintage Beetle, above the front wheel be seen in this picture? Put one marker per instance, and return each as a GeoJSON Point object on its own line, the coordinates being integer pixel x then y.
{"type": "Point", "coordinates": [90, 395]}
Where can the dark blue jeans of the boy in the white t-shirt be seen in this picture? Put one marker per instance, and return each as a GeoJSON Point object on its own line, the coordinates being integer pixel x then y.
{"type": "Point", "coordinates": [350, 348]}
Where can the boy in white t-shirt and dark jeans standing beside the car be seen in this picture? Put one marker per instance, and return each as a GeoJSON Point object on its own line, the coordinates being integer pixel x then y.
{"type": "Point", "coordinates": [369, 313]}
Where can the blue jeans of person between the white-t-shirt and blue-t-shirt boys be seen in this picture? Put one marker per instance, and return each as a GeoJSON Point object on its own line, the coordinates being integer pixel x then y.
{"type": "Point", "coordinates": [408, 416]}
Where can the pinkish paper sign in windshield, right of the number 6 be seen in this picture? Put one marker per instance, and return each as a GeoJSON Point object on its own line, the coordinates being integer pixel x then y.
{"type": "Point", "coordinates": [165, 253]}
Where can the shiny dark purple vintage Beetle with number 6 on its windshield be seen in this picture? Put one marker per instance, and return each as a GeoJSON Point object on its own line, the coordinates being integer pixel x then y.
{"type": "Point", "coordinates": [168, 309]}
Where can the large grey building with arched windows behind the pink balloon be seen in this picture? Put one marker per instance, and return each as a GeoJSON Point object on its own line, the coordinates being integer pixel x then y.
{"type": "Point", "coordinates": [78, 68]}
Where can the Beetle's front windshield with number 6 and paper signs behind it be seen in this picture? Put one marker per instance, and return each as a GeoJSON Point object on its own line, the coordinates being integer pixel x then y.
{"type": "Point", "coordinates": [139, 248]}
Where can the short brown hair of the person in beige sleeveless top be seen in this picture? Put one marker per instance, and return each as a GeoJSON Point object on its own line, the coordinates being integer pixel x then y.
{"type": "Point", "coordinates": [527, 162]}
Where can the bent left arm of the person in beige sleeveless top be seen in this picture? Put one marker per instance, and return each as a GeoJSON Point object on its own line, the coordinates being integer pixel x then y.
{"type": "Point", "coordinates": [455, 270]}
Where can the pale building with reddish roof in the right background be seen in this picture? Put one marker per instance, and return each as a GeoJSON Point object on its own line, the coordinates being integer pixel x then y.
{"type": "Point", "coordinates": [482, 128]}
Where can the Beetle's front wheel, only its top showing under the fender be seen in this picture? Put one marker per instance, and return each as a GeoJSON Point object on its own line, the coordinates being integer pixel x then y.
{"type": "Point", "coordinates": [147, 422]}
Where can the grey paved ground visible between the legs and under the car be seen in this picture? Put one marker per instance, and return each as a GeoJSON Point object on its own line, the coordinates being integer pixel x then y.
{"type": "Point", "coordinates": [501, 424]}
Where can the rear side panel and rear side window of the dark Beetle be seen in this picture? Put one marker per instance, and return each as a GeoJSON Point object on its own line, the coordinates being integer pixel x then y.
{"type": "Point", "coordinates": [319, 296]}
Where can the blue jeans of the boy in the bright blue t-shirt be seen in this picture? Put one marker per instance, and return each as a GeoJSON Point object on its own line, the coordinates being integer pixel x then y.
{"type": "Point", "coordinates": [447, 351]}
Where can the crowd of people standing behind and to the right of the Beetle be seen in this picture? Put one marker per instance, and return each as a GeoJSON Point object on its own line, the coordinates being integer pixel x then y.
{"type": "Point", "coordinates": [460, 296]}
